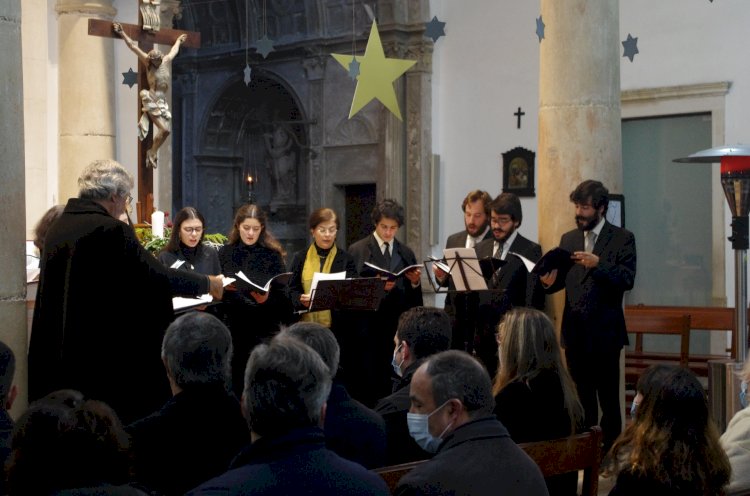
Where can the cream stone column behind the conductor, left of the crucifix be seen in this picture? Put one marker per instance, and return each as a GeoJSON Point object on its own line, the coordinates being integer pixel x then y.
{"type": "Point", "coordinates": [86, 89]}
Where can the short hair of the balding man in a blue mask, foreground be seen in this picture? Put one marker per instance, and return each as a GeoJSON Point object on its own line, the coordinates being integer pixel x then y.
{"type": "Point", "coordinates": [456, 374]}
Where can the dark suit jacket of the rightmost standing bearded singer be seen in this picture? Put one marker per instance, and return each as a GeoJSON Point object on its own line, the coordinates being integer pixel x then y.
{"type": "Point", "coordinates": [593, 318]}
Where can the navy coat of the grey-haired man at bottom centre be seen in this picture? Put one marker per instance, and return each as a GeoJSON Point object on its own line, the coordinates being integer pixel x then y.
{"type": "Point", "coordinates": [296, 463]}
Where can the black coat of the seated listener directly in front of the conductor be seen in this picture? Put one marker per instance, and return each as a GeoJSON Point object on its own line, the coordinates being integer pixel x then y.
{"type": "Point", "coordinates": [191, 439]}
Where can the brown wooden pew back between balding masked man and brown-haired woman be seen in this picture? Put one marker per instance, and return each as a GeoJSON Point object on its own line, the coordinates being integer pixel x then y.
{"type": "Point", "coordinates": [570, 454]}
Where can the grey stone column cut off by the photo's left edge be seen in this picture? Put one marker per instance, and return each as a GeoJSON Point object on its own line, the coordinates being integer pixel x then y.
{"type": "Point", "coordinates": [12, 274]}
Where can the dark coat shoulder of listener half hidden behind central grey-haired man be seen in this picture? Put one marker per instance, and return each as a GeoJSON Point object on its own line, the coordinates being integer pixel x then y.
{"type": "Point", "coordinates": [354, 431]}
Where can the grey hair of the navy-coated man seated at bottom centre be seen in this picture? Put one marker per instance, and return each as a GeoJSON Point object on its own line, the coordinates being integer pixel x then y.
{"type": "Point", "coordinates": [286, 386]}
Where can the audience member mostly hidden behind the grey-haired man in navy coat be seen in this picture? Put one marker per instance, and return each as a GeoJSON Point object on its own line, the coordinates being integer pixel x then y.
{"type": "Point", "coordinates": [352, 430]}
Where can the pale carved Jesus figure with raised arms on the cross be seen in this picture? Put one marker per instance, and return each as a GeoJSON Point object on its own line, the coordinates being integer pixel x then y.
{"type": "Point", "coordinates": [154, 106]}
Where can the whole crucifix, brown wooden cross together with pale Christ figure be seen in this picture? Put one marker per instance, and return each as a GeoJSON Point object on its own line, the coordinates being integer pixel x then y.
{"type": "Point", "coordinates": [153, 83]}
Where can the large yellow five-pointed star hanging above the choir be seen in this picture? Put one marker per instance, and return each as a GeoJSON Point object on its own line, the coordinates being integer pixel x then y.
{"type": "Point", "coordinates": [376, 75]}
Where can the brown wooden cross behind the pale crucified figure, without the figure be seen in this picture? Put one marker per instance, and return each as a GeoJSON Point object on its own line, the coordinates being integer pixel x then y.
{"type": "Point", "coordinates": [146, 41]}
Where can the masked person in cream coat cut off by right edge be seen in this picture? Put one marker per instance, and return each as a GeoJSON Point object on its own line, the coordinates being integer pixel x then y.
{"type": "Point", "coordinates": [736, 442]}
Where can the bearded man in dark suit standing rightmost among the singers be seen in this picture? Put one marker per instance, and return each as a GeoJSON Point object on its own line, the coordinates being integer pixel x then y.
{"type": "Point", "coordinates": [593, 322]}
